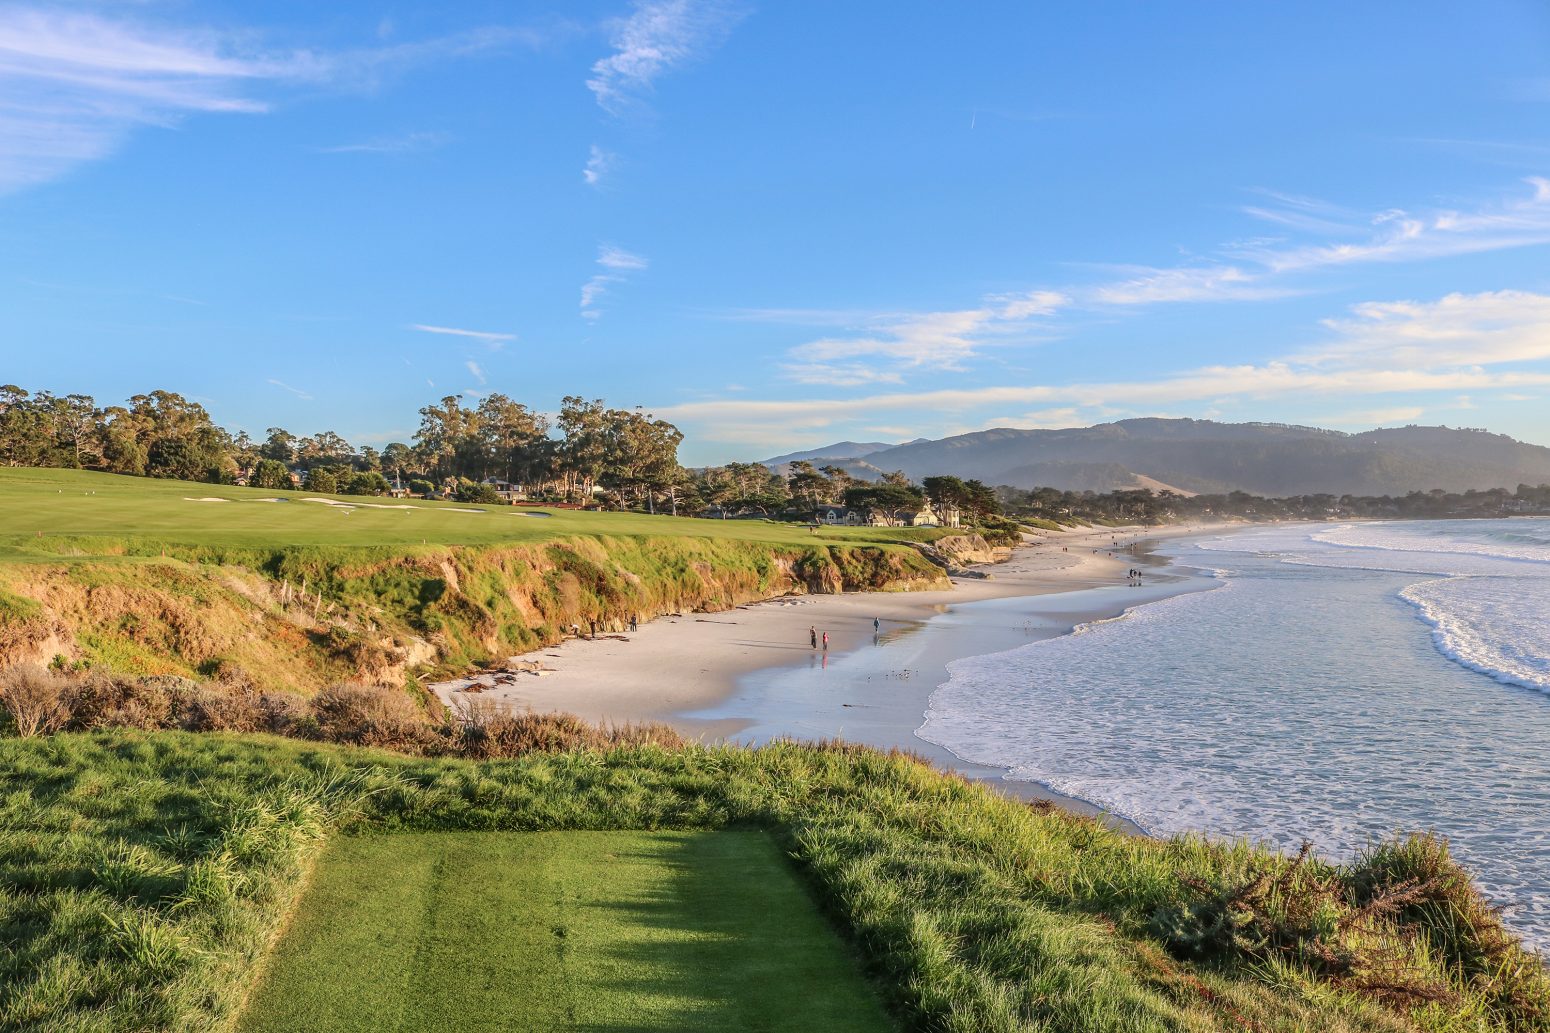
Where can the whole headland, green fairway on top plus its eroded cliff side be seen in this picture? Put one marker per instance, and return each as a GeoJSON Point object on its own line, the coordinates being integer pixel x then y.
{"type": "Point", "coordinates": [128, 575]}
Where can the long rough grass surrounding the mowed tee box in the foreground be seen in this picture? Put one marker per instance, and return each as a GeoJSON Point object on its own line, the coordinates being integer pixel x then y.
{"type": "Point", "coordinates": [145, 872]}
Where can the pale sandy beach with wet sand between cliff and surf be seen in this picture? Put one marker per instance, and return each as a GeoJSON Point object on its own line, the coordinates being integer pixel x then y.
{"type": "Point", "coordinates": [749, 675]}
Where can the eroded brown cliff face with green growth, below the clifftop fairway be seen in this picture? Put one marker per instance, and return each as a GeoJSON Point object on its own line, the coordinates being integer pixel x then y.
{"type": "Point", "coordinates": [301, 620]}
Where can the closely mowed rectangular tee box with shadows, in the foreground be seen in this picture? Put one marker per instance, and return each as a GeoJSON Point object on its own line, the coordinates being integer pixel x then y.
{"type": "Point", "coordinates": [560, 931]}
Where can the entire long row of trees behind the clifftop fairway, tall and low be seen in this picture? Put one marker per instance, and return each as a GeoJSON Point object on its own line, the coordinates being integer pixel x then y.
{"type": "Point", "coordinates": [588, 452]}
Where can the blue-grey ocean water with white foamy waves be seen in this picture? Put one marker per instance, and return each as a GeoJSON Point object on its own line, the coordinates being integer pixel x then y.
{"type": "Point", "coordinates": [1342, 685]}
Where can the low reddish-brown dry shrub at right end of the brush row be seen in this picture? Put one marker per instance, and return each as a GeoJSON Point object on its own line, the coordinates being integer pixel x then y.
{"type": "Point", "coordinates": [489, 730]}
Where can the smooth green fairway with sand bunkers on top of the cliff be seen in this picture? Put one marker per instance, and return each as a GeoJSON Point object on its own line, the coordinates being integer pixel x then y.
{"type": "Point", "coordinates": [57, 514]}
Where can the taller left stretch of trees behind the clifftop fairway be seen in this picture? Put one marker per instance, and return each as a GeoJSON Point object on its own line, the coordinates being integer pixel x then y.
{"type": "Point", "coordinates": [587, 449]}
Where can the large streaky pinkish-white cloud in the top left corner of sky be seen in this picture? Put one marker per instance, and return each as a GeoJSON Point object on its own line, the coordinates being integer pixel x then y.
{"type": "Point", "coordinates": [75, 85]}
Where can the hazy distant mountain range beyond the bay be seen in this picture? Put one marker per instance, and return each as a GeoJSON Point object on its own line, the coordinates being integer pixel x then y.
{"type": "Point", "coordinates": [1204, 457]}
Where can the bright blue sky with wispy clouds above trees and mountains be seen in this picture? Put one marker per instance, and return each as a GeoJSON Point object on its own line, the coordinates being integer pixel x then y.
{"type": "Point", "coordinates": [784, 224]}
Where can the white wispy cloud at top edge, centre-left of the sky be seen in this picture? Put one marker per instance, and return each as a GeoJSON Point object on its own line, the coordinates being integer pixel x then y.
{"type": "Point", "coordinates": [656, 38]}
